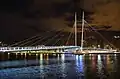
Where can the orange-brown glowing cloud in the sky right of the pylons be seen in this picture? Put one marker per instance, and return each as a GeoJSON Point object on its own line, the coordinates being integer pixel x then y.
{"type": "Point", "coordinates": [106, 12]}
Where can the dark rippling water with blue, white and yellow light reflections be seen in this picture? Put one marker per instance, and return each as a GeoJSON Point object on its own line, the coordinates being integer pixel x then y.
{"type": "Point", "coordinates": [60, 66]}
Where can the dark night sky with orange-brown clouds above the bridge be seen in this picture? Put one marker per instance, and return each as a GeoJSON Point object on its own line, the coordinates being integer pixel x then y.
{"type": "Point", "coordinates": [20, 19]}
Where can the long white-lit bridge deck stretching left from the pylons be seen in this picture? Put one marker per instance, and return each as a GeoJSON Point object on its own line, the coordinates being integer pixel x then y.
{"type": "Point", "coordinates": [36, 48]}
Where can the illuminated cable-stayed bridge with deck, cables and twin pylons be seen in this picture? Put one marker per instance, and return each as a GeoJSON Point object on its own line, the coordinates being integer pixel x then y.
{"type": "Point", "coordinates": [48, 38]}
